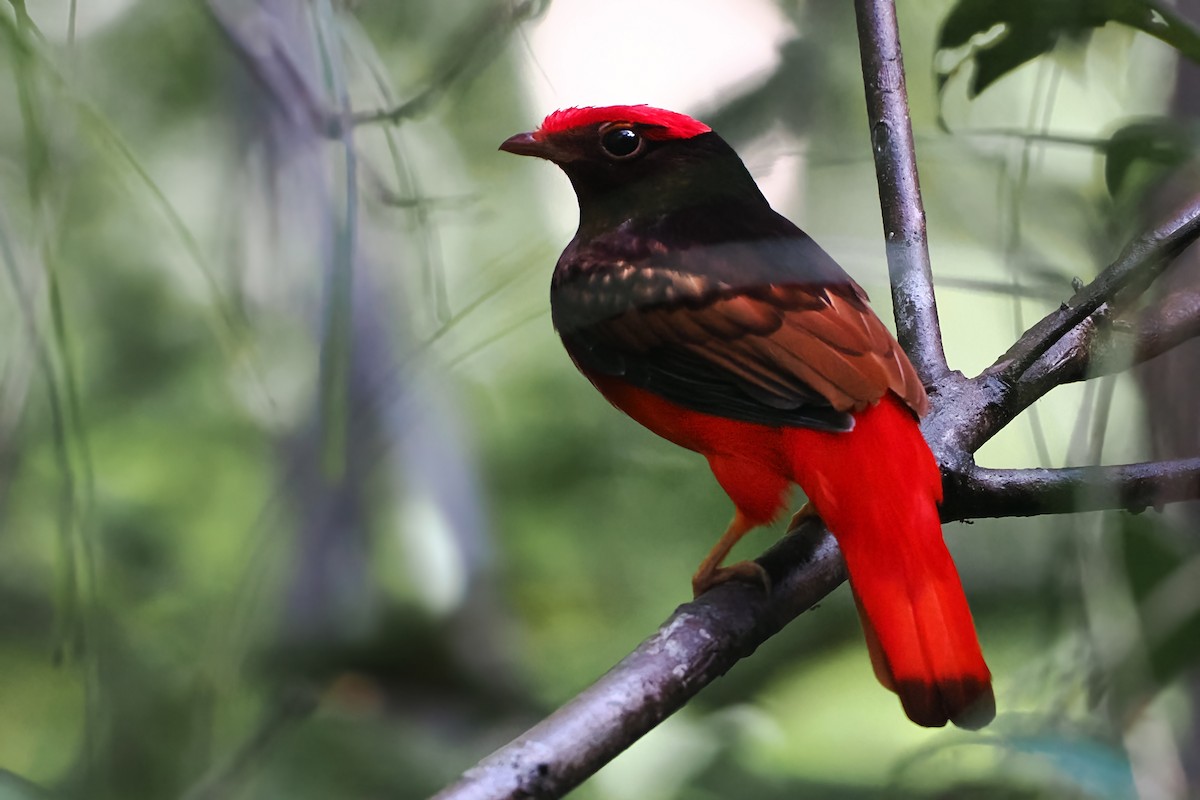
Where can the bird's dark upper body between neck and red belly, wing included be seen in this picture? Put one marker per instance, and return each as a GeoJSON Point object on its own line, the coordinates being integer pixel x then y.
{"type": "Point", "coordinates": [765, 330]}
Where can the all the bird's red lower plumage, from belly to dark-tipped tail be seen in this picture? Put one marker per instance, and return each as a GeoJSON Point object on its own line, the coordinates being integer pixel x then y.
{"type": "Point", "coordinates": [878, 489]}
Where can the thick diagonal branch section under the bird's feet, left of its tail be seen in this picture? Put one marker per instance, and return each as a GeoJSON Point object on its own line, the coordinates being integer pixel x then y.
{"type": "Point", "coordinates": [694, 647]}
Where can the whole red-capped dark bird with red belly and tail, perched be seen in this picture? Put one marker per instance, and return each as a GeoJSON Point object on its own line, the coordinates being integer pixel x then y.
{"type": "Point", "coordinates": [717, 323]}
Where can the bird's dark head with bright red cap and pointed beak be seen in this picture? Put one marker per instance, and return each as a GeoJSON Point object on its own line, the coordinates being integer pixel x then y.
{"type": "Point", "coordinates": [629, 161]}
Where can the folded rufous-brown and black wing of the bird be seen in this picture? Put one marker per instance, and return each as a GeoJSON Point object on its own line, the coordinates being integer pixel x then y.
{"type": "Point", "coordinates": [776, 358]}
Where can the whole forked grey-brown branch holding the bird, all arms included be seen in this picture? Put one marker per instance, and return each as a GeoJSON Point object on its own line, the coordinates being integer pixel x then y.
{"type": "Point", "coordinates": [705, 639]}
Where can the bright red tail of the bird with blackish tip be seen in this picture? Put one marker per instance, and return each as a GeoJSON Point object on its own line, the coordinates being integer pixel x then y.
{"type": "Point", "coordinates": [878, 490]}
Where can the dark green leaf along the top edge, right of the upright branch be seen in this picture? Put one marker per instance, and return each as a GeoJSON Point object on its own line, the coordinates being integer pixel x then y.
{"type": "Point", "coordinates": [1017, 32]}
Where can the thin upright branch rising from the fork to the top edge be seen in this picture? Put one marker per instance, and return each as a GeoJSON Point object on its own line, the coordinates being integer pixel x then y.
{"type": "Point", "coordinates": [896, 167]}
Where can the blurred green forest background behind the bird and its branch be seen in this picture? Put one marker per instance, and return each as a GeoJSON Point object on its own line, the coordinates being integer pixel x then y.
{"type": "Point", "coordinates": [301, 497]}
